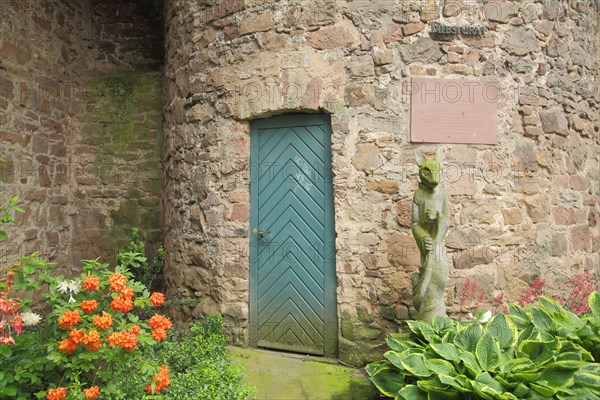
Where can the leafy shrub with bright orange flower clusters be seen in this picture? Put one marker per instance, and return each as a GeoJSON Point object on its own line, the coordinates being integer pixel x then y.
{"type": "Point", "coordinates": [99, 342]}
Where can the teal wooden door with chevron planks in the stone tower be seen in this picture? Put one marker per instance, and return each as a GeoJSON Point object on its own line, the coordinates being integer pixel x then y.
{"type": "Point", "coordinates": [292, 257]}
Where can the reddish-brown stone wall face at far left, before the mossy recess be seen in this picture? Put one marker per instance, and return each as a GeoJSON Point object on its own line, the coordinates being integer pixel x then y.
{"type": "Point", "coordinates": [41, 45]}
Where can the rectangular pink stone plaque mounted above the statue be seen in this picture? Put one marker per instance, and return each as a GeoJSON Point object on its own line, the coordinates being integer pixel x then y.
{"type": "Point", "coordinates": [453, 111]}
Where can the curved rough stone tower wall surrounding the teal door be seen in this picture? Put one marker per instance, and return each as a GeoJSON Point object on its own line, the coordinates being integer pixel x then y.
{"type": "Point", "coordinates": [523, 208]}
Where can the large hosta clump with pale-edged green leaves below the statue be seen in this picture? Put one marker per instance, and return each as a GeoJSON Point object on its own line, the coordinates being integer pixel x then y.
{"type": "Point", "coordinates": [544, 352]}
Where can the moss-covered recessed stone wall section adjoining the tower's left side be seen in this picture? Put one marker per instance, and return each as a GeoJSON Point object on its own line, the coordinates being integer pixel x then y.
{"type": "Point", "coordinates": [117, 177]}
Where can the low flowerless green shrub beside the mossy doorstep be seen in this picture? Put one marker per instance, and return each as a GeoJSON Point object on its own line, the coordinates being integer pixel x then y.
{"type": "Point", "coordinates": [200, 365]}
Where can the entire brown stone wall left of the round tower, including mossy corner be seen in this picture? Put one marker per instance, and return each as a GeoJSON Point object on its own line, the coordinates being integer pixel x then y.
{"type": "Point", "coordinates": [80, 124]}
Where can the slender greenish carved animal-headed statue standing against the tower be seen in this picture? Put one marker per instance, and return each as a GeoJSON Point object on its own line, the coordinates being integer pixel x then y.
{"type": "Point", "coordinates": [429, 225]}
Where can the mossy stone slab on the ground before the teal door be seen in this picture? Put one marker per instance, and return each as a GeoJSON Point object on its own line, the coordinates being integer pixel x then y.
{"type": "Point", "coordinates": [286, 376]}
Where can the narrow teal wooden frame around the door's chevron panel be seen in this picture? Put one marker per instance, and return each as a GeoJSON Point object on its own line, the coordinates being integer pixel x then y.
{"type": "Point", "coordinates": [330, 333]}
